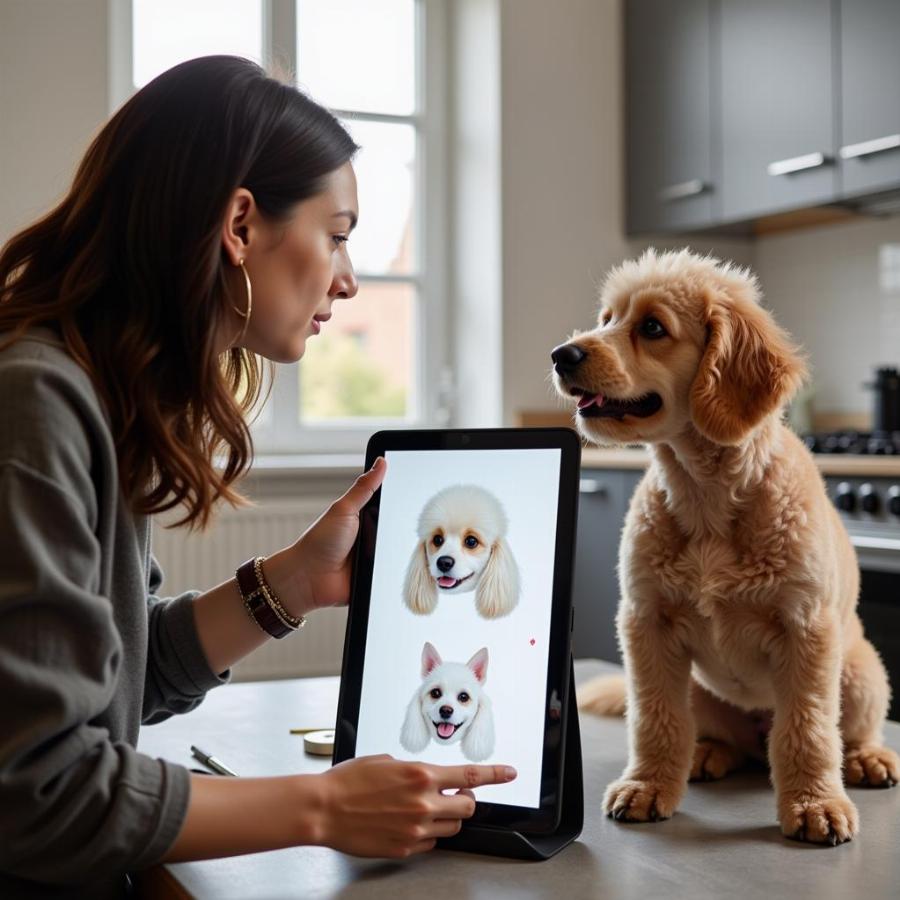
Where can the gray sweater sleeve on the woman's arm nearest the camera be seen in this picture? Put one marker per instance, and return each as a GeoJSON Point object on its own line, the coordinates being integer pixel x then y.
{"type": "Point", "coordinates": [74, 804]}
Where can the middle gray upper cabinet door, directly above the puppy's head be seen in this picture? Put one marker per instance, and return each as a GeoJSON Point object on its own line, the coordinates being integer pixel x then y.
{"type": "Point", "coordinates": [777, 109]}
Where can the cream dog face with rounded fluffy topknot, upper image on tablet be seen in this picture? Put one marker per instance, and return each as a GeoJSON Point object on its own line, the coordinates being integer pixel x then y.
{"type": "Point", "coordinates": [462, 548]}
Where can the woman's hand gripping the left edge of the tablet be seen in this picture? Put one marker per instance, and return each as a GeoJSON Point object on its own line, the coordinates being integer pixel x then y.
{"type": "Point", "coordinates": [314, 572]}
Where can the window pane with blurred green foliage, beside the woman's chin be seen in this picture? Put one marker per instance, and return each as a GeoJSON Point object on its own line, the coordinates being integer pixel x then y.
{"type": "Point", "coordinates": [361, 365]}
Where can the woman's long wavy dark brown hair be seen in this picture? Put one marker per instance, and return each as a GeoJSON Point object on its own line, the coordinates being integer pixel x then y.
{"type": "Point", "coordinates": [130, 271]}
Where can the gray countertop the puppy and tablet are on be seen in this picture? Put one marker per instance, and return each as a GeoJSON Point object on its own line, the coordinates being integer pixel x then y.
{"type": "Point", "coordinates": [723, 841]}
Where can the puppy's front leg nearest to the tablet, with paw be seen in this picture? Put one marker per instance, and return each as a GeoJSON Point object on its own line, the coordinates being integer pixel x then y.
{"type": "Point", "coordinates": [661, 726]}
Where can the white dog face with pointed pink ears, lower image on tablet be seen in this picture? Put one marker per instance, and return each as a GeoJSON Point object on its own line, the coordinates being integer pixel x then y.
{"type": "Point", "coordinates": [451, 707]}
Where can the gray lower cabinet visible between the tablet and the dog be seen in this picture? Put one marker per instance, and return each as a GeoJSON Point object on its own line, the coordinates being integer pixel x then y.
{"type": "Point", "coordinates": [603, 502]}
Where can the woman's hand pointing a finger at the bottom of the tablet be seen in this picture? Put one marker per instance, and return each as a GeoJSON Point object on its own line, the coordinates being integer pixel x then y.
{"type": "Point", "coordinates": [380, 806]}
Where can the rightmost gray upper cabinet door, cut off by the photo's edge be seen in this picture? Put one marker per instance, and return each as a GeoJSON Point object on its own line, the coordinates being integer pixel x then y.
{"type": "Point", "coordinates": [870, 95]}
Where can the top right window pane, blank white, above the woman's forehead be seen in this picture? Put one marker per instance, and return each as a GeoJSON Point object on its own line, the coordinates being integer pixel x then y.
{"type": "Point", "coordinates": [358, 54]}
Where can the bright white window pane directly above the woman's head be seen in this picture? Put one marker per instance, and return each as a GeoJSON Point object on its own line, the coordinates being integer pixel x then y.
{"type": "Point", "coordinates": [167, 32]}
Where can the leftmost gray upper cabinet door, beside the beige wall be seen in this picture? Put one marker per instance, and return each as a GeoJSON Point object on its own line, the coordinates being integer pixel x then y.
{"type": "Point", "coordinates": [671, 183]}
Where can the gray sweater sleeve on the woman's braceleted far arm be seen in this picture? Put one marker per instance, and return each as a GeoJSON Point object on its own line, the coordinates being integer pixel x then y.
{"type": "Point", "coordinates": [178, 675]}
